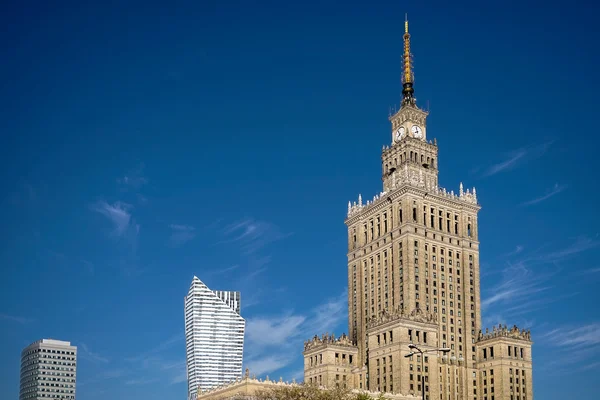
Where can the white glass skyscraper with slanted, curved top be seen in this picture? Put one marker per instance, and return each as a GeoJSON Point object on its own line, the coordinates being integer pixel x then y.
{"type": "Point", "coordinates": [214, 337]}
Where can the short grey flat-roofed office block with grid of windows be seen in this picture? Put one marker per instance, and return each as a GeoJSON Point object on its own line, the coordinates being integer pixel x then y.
{"type": "Point", "coordinates": [48, 370]}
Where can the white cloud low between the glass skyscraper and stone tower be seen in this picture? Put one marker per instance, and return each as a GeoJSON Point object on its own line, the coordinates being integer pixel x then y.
{"type": "Point", "coordinates": [272, 342]}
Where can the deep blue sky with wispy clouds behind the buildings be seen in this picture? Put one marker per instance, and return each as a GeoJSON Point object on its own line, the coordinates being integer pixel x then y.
{"type": "Point", "coordinates": [146, 143]}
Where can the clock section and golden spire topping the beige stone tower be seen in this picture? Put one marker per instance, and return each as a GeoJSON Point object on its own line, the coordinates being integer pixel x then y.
{"type": "Point", "coordinates": [410, 156]}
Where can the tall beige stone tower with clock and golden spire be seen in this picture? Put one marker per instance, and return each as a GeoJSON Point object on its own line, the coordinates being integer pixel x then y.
{"type": "Point", "coordinates": [413, 278]}
